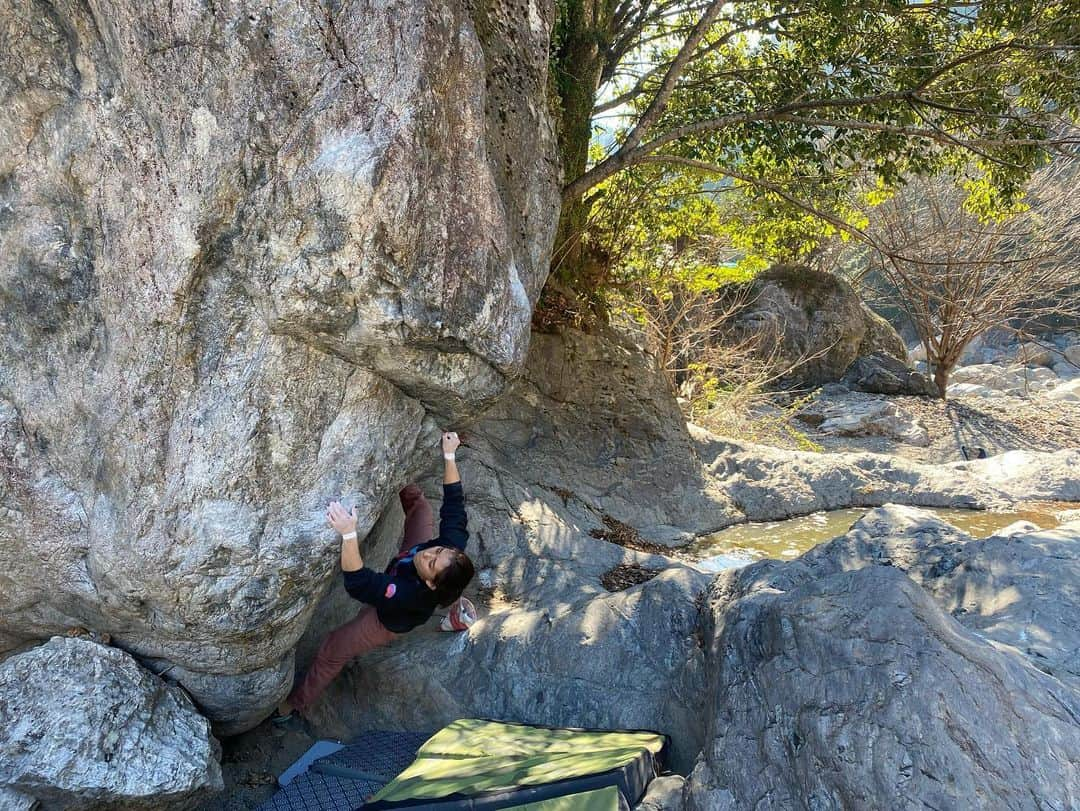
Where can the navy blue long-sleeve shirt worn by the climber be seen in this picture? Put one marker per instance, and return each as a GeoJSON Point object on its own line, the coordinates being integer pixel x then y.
{"type": "Point", "coordinates": [402, 600]}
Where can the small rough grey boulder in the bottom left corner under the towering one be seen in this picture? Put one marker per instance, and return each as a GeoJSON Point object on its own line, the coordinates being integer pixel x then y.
{"type": "Point", "coordinates": [84, 727]}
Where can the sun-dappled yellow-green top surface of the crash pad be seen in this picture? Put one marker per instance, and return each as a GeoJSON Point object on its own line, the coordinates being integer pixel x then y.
{"type": "Point", "coordinates": [474, 758]}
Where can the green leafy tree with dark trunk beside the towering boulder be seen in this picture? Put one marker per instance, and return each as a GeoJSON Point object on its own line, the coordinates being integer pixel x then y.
{"type": "Point", "coordinates": [798, 105]}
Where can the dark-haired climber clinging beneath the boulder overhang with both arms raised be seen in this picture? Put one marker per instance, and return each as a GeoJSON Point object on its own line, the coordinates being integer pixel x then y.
{"type": "Point", "coordinates": [425, 574]}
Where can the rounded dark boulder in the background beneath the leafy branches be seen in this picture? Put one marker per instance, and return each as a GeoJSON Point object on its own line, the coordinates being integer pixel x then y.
{"type": "Point", "coordinates": [818, 322]}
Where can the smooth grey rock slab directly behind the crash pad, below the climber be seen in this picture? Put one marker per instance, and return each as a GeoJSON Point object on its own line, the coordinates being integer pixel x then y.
{"type": "Point", "coordinates": [632, 660]}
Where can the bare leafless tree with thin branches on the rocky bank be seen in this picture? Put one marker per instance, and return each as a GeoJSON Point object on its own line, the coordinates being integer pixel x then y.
{"type": "Point", "coordinates": [957, 276]}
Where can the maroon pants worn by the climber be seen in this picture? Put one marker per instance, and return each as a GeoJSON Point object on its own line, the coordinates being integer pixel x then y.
{"type": "Point", "coordinates": [364, 633]}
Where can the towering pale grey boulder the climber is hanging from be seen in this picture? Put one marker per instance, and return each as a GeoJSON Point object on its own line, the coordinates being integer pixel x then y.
{"type": "Point", "coordinates": [250, 260]}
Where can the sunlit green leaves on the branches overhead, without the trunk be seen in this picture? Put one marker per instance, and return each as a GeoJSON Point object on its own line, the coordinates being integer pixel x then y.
{"type": "Point", "coordinates": [801, 111]}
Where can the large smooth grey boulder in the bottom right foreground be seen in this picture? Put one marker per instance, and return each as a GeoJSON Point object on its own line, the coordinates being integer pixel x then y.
{"type": "Point", "coordinates": [856, 691]}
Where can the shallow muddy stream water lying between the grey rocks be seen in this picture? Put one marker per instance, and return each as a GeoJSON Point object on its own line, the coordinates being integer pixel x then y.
{"type": "Point", "coordinates": [745, 544]}
